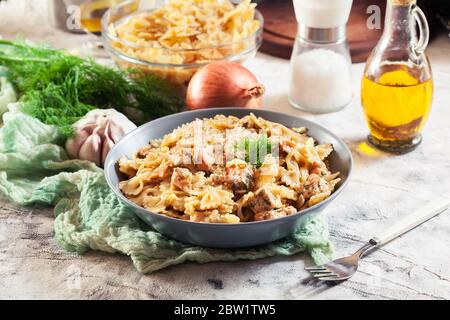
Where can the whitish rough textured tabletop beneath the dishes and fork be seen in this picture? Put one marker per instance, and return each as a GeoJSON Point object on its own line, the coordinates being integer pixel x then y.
{"type": "Point", "coordinates": [382, 189]}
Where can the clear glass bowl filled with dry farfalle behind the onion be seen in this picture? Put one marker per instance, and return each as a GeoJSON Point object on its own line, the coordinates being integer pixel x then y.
{"type": "Point", "coordinates": [174, 38]}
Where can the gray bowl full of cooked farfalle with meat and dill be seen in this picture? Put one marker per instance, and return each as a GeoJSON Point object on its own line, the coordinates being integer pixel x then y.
{"type": "Point", "coordinates": [228, 177]}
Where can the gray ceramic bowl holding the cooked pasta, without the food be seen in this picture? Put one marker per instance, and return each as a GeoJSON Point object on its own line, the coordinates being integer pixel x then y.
{"type": "Point", "coordinates": [225, 235]}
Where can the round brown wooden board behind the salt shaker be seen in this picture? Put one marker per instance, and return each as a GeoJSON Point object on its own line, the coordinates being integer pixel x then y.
{"type": "Point", "coordinates": [280, 28]}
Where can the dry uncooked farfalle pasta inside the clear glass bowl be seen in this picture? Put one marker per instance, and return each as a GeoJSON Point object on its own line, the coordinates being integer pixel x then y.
{"type": "Point", "coordinates": [185, 32]}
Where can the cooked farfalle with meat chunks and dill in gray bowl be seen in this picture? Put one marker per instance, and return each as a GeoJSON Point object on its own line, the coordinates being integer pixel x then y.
{"type": "Point", "coordinates": [229, 170]}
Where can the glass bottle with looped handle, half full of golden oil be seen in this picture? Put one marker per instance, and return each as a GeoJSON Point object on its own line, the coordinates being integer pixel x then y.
{"type": "Point", "coordinates": [397, 85]}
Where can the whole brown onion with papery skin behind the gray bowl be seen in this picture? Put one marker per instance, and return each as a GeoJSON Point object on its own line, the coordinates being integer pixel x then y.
{"type": "Point", "coordinates": [224, 84]}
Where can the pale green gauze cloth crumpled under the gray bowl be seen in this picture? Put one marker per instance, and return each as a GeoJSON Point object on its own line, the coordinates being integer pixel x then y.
{"type": "Point", "coordinates": [35, 170]}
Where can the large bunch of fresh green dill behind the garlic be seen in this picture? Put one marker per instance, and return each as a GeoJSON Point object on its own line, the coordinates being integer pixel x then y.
{"type": "Point", "coordinates": [58, 88]}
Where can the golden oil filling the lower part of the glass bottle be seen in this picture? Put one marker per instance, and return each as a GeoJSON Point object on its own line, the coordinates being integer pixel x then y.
{"type": "Point", "coordinates": [396, 105]}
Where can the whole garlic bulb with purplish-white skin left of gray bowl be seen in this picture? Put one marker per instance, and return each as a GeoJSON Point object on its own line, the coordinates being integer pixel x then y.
{"type": "Point", "coordinates": [96, 133]}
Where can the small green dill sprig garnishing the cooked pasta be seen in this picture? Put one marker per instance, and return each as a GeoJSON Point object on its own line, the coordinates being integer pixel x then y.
{"type": "Point", "coordinates": [254, 150]}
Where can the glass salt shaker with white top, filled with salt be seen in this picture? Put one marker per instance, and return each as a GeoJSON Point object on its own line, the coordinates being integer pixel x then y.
{"type": "Point", "coordinates": [320, 71]}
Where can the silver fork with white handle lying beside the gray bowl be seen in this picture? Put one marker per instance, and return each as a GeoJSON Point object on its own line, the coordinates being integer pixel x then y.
{"type": "Point", "coordinates": [344, 268]}
